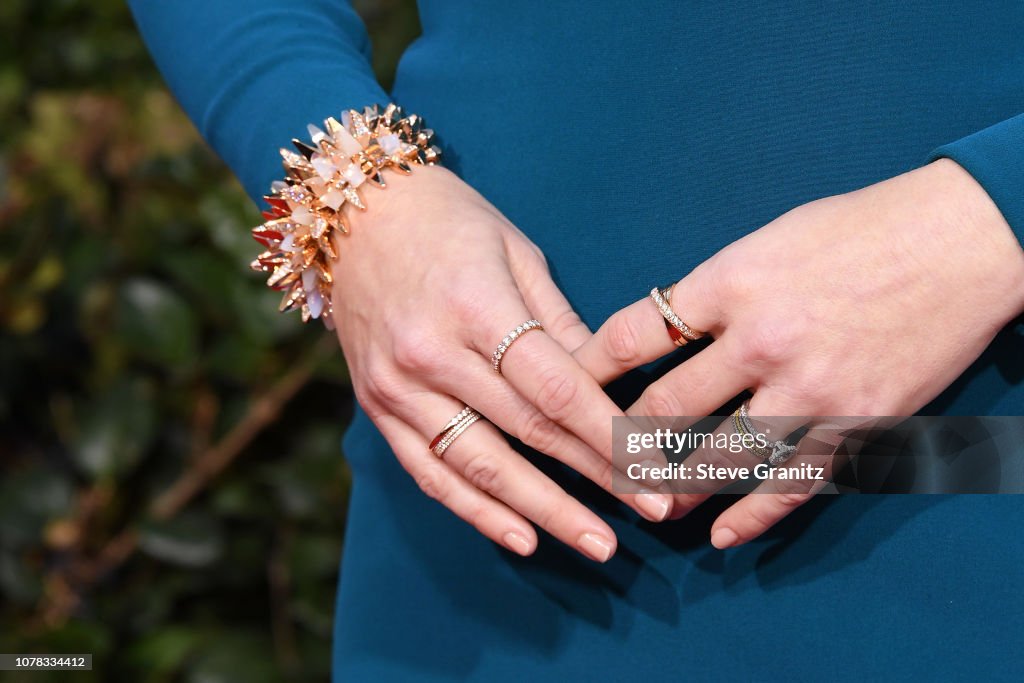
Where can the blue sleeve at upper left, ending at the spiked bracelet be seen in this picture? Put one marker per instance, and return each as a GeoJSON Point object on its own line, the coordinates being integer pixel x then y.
{"type": "Point", "coordinates": [251, 74]}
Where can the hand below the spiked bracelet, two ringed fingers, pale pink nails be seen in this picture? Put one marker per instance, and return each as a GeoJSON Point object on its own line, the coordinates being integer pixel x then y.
{"type": "Point", "coordinates": [428, 283]}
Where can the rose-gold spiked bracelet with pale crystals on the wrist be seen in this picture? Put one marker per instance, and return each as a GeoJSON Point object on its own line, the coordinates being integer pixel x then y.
{"type": "Point", "coordinates": [308, 208]}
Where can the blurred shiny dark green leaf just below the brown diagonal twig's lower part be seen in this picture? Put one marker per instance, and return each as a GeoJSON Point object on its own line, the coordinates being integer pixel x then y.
{"type": "Point", "coordinates": [191, 540]}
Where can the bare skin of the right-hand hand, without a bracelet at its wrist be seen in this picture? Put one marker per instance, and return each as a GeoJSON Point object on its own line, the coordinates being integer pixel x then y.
{"type": "Point", "coordinates": [869, 304]}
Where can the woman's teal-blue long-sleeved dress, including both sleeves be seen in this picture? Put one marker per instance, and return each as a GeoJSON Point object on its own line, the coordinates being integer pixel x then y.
{"type": "Point", "coordinates": [631, 142]}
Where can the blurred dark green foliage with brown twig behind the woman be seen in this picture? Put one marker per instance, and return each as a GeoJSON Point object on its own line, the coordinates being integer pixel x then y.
{"type": "Point", "coordinates": [173, 495]}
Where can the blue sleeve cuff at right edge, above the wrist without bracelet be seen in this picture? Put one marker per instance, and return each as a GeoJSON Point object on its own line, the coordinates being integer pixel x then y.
{"type": "Point", "coordinates": [996, 158]}
